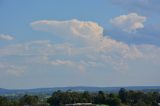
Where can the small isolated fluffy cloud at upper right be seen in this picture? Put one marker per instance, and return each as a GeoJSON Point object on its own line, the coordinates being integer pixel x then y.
{"type": "Point", "coordinates": [129, 23]}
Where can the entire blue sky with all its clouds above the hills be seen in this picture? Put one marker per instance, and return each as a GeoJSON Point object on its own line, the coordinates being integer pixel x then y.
{"type": "Point", "coordinates": [58, 43]}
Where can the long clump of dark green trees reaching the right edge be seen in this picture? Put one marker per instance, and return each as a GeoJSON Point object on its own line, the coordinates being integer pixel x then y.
{"type": "Point", "coordinates": [123, 98]}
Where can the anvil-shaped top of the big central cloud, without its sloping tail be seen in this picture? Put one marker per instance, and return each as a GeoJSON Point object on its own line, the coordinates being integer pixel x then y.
{"type": "Point", "coordinates": [74, 28]}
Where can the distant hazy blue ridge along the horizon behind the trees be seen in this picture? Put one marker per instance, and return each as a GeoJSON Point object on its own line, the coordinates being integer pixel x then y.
{"type": "Point", "coordinates": [77, 88]}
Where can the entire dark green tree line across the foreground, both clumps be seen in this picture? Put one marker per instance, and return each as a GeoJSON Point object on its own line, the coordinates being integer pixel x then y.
{"type": "Point", "coordinates": [60, 98]}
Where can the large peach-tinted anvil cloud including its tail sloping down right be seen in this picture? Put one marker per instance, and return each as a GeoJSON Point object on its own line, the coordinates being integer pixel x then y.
{"type": "Point", "coordinates": [90, 32]}
